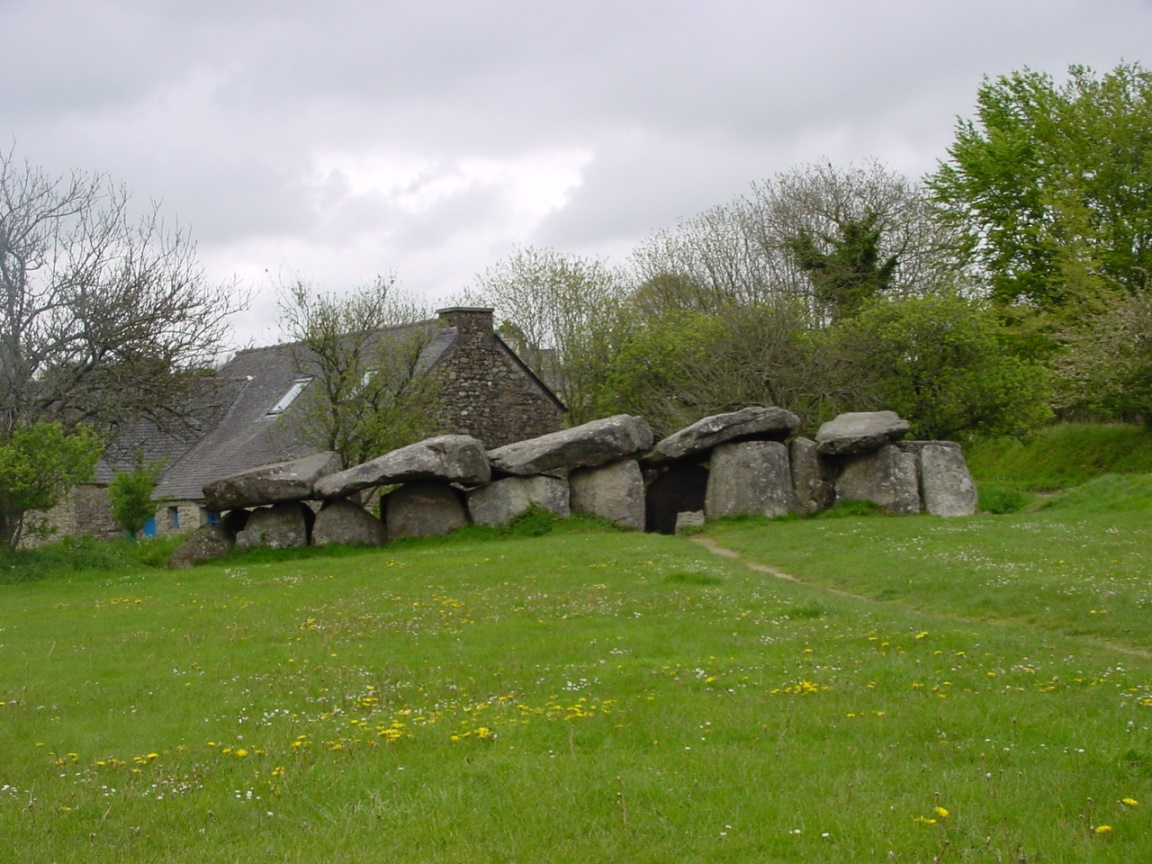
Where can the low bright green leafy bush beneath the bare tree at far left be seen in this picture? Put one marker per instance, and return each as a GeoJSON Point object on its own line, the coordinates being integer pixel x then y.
{"type": "Point", "coordinates": [39, 466]}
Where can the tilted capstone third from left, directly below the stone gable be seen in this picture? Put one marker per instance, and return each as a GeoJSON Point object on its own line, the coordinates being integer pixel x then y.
{"type": "Point", "coordinates": [594, 444]}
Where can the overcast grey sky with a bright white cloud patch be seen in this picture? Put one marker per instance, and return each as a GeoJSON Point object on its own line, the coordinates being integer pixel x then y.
{"type": "Point", "coordinates": [337, 141]}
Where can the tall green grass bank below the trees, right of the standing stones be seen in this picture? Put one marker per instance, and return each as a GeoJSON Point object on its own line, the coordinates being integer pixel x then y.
{"type": "Point", "coordinates": [1062, 457]}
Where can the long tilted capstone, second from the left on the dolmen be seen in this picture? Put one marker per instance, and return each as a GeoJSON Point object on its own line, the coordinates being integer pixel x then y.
{"type": "Point", "coordinates": [448, 459]}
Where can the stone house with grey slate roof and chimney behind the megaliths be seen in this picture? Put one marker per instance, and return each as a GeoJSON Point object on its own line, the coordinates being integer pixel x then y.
{"type": "Point", "coordinates": [483, 390]}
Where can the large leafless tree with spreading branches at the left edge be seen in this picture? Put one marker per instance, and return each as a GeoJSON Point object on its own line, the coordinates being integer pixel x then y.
{"type": "Point", "coordinates": [105, 319]}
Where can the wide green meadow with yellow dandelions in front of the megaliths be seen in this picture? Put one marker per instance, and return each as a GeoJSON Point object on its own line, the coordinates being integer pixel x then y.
{"type": "Point", "coordinates": [587, 695]}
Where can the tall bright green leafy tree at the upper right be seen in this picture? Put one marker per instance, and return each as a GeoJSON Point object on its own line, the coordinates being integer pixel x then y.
{"type": "Point", "coordinates": [1052, 187]}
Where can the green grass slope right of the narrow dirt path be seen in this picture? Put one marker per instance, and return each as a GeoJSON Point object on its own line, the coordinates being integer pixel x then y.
{"type": "Point", "coordinates": [1079, 566]}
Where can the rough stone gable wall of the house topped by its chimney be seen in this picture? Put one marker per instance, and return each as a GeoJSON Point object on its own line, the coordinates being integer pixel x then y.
{"type": "Point", "coordinates": [484, 392]}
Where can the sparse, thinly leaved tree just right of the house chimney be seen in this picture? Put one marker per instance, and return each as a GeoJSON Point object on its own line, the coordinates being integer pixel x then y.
{"type": "Point", "coordinates": [567, 316]}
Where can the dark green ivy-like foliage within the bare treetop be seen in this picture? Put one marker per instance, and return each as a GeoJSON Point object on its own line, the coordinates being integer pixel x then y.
{"type": "Point", "coordinates": [850, 271]}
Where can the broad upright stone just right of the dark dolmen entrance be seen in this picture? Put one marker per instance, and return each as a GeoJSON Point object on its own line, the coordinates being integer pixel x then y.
{"type": "Point", "coordinates": [751, 479]}
